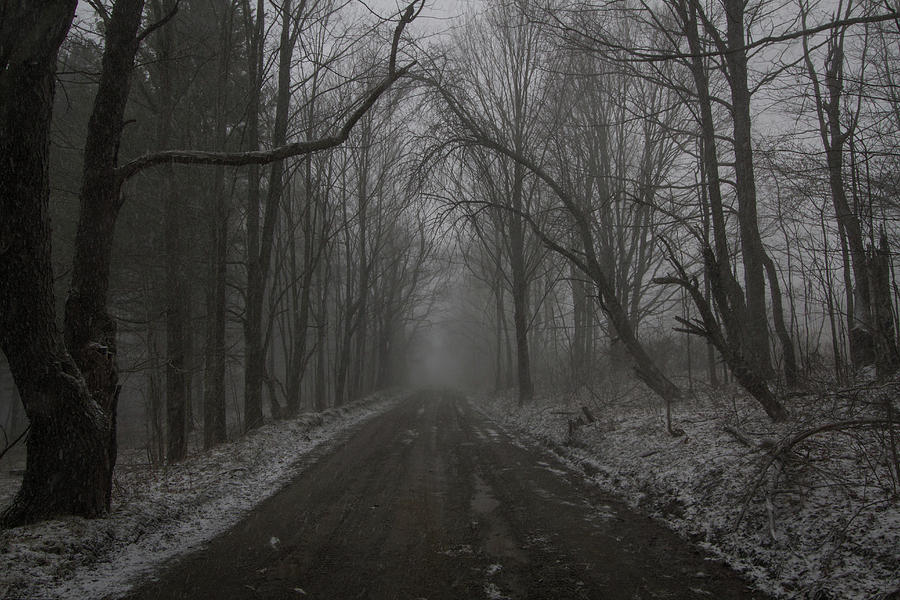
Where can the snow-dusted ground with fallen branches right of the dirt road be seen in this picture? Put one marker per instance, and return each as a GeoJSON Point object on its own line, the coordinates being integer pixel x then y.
{"type": "Point", "coordinates": [819, 521]}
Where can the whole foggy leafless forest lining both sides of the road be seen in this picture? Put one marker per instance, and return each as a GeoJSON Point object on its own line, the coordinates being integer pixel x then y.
{"type": "Point", "coordinates": [220, 214]}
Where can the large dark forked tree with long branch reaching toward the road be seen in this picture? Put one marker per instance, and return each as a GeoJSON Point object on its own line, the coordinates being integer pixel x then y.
{"type": "Point", "coordinates": [71, 400]}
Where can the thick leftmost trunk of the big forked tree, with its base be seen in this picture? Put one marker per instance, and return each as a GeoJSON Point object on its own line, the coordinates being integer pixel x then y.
{"type": "Point", "coordinates": [70, 450]}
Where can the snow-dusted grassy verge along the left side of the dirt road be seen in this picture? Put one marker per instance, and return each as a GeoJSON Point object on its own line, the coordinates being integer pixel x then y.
{"type": "Point", "coordinates": [159, 514]}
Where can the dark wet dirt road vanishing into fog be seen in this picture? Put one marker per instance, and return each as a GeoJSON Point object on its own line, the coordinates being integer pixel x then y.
{"type": "Point", "coordinates": [432, 501]}
